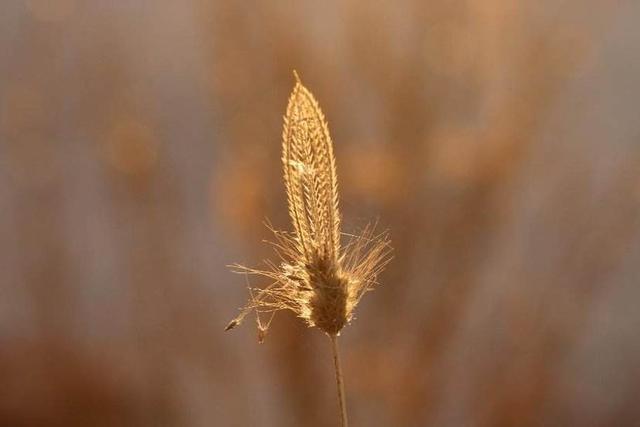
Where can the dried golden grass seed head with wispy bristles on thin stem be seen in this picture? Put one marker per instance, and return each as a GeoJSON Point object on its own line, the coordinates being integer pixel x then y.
{"type": "Point", "coordinates": [317, 278]}
